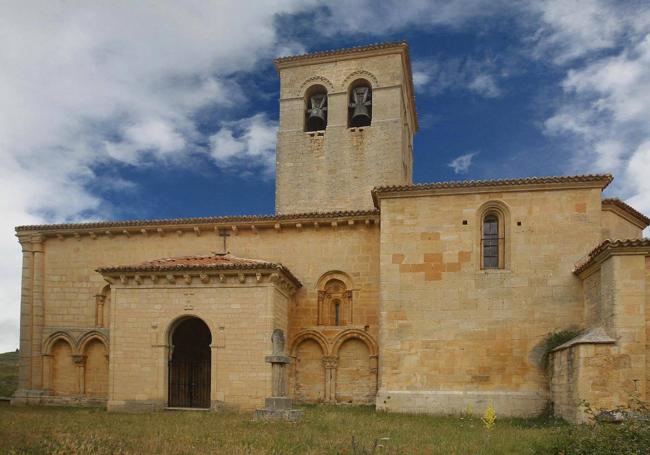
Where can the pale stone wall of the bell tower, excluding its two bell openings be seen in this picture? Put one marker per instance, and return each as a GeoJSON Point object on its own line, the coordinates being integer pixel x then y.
{"type": "Point", "coordinates": [336, 170]}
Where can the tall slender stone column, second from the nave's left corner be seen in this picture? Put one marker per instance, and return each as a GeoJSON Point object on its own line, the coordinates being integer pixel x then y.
{"type": "Point", "coordinates": [38, 311]}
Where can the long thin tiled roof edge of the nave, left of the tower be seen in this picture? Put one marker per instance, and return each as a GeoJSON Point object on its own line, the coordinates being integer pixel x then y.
{"type": "Point", "coordinates": [201, 220]}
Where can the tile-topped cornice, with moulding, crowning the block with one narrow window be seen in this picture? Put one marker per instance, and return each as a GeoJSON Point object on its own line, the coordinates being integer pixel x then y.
{"type": "Point", "coordinates": [488, 186]}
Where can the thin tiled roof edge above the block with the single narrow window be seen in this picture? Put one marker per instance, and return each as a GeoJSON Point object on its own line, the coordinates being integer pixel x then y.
{"type": "Point", "coordinates": [605, 179]}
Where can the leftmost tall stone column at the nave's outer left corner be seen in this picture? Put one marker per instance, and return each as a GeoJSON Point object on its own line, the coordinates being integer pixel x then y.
{"type": "Point", "coordinates": [25, 372]}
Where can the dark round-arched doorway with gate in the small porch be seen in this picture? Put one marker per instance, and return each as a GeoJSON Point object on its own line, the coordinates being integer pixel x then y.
{"type": "Point", "coordinates": [189, 364]}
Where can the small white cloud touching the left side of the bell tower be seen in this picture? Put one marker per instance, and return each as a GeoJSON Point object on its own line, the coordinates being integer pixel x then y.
{"type": "Point", "coordinates": [246, 143]}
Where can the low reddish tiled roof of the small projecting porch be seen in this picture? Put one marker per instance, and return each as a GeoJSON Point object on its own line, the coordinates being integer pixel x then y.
{"type": "Point", "coordinates": [215, 261]}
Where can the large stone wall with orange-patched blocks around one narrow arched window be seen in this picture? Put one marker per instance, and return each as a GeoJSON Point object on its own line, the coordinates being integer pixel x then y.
{"type": "Point", "coordinates": [453, 334]}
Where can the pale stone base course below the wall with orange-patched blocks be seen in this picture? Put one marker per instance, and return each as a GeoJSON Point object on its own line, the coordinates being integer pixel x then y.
{"type": "Point", "coordinates": [506, 403]}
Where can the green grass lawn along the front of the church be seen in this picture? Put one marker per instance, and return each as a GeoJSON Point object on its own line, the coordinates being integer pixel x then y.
{"type": "Point", "coordinates": [323, 429]}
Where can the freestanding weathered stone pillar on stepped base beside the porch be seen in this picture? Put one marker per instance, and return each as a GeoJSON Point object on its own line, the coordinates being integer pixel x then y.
{"type": "Point", "coordinates": [278, 405]}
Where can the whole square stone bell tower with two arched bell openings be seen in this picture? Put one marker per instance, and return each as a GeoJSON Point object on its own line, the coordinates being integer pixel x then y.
{"type": "Point", "coordinates": [347, 119]}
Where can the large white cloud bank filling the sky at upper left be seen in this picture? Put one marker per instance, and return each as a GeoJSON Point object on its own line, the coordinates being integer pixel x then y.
{"type": "Point", "coordinates": [91, 83]}
